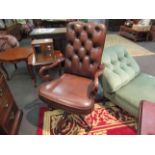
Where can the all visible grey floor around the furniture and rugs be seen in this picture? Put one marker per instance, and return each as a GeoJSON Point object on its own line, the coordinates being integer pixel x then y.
{"type": "Point", "coordinates": [26, 95]}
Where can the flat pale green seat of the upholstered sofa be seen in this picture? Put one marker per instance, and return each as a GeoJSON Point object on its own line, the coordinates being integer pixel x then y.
{"type": "Point", "coordinates": [140, 88]}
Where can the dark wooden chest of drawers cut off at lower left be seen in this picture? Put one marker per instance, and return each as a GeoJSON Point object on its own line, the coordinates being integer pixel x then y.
{"type": "Point", "coordinates": [10, 114]}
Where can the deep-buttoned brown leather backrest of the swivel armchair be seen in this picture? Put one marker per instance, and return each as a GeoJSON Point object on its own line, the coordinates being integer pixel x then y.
{"type": "Point", "coordinates": [85, 42]}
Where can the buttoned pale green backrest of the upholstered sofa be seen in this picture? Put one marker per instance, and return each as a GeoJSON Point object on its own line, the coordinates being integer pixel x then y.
{"type": "Point", "coordinates": [120, 67]}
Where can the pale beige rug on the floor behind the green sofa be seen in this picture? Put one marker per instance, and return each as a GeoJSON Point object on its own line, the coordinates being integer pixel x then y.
{"type": "Point", "coordinates": [133, 48]}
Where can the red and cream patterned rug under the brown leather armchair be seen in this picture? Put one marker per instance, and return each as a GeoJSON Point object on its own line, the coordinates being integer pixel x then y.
{"type": "Point", "coordinates": [106, 119]}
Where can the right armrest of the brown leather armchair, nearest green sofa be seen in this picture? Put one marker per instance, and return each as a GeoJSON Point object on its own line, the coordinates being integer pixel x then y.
{"type": "Point", "coordinates": [95, 83]}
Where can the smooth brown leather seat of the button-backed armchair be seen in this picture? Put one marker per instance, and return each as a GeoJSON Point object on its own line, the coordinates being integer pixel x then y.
{"type": "Point", "coordinates": [70, 92]}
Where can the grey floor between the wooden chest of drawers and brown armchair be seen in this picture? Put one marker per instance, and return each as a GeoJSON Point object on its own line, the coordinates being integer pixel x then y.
{"type": "Point", "coordinates": [26, 97]}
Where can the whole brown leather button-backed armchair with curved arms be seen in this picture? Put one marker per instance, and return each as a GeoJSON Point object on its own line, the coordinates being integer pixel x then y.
{"type": "Point", "coordinates": [74, 91]}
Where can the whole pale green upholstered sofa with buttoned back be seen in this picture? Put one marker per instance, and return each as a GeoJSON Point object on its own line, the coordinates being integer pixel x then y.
{"type": "Point", "coordinates": [123, 82]}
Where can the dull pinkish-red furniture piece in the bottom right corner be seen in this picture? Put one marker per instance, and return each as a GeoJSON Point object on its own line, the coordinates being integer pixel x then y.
{"type": "Point", "coordinates": [147, 118]}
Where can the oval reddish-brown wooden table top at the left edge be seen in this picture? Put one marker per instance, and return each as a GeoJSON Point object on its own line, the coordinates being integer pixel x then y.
{"type": "Point", "coordinates": [15, 54]}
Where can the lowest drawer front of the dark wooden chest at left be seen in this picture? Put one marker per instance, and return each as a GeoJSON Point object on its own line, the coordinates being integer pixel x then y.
{"type": "Point", "coordinates": [11, 118]}
